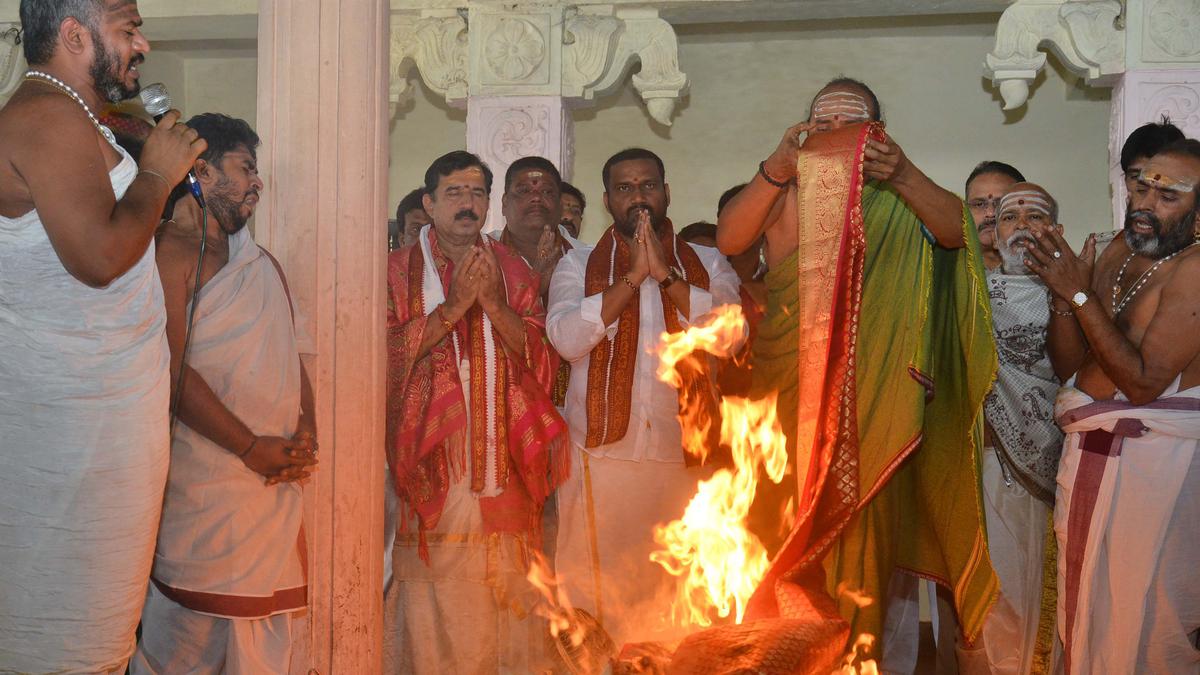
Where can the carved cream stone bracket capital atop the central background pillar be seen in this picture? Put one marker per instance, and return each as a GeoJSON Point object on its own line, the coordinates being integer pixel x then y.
{"type": "Point", "coordinates": [575, 53]}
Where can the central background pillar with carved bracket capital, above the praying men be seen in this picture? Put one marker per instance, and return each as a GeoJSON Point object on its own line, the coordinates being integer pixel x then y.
{"type": "Point", "coordinates": [520, 68]}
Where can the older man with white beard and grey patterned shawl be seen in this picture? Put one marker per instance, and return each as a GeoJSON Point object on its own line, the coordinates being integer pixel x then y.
{"type": "Point", "coordinates": [1023, 444]}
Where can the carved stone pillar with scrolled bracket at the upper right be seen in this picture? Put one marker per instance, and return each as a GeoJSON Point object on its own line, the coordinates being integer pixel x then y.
{"type": "Point", "coordinates": [1148, 50]}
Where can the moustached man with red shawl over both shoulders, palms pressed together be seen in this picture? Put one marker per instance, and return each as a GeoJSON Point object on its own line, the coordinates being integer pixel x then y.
{"type": "Point", "coordinates": [475, 445]}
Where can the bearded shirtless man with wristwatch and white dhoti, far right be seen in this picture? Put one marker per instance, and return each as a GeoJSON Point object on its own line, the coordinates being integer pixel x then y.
{"type": "Point", "coordinates": [1129, 493]}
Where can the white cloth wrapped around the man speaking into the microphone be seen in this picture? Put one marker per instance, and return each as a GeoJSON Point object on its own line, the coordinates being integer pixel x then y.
{"type": "Point", "coordinates": [85, 391]}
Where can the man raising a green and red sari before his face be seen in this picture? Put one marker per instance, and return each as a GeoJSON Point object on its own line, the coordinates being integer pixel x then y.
{"type": "Point", "coordinates": [878, 339]}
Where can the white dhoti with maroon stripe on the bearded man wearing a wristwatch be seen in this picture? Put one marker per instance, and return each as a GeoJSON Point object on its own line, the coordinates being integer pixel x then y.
{"type": "Point", "coordinates": [1129, 547]}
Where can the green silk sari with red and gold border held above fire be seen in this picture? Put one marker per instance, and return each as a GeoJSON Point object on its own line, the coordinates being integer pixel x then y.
{"type": "Point", "coordinates": [895, 361]}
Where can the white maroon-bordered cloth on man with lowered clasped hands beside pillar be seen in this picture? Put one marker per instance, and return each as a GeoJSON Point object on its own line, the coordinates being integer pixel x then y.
{"type": "Point", "coordinates": [225, 534]}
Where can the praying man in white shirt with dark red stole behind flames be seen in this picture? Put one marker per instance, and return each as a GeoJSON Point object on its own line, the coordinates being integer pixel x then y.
{"type": "Point", "coordinates": [609, 307]}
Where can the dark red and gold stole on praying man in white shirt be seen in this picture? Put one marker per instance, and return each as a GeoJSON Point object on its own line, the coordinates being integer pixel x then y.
{"type": "Point", "coordinates": [611, 368]}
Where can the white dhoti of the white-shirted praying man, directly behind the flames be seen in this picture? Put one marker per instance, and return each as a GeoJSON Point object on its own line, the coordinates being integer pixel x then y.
{"type": "Point", "coordinates": [608, 512]}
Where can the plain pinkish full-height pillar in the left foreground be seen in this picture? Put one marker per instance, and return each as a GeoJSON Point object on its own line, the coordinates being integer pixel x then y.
{"type": "Point", "coordinates": [322, 115]}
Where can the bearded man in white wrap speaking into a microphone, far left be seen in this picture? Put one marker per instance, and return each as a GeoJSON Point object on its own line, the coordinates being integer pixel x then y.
{"type": "Point", "coordinates": [83, 371]}
